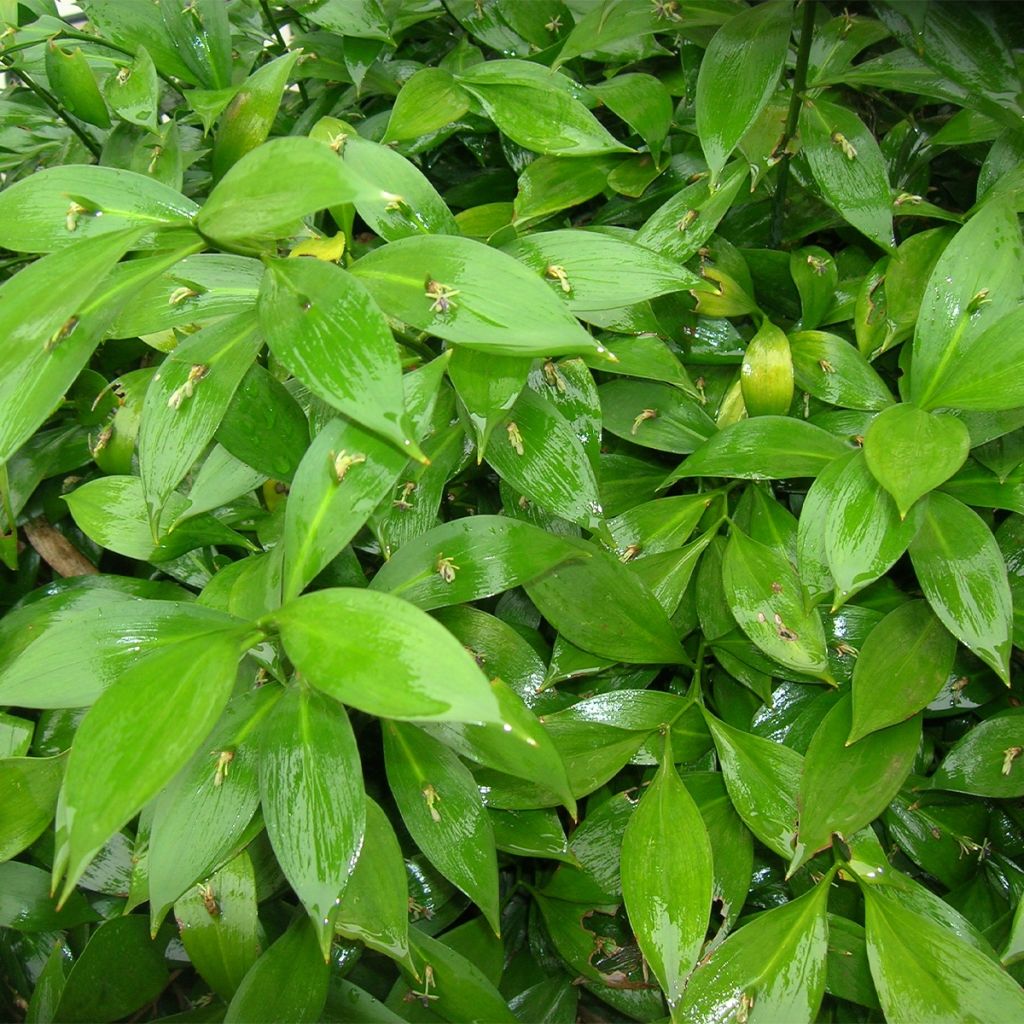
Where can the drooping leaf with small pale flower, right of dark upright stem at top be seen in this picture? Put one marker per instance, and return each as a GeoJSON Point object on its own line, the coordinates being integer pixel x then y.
{"type": "Point", "coordinates": [849, 168]}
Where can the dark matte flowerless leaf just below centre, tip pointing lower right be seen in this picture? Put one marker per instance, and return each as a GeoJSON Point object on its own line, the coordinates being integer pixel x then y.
{"type": "Point", "coordinates": [602, 606]}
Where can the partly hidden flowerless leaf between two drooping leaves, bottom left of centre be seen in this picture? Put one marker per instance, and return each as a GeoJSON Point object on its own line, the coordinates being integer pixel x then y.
{"type": "Point", "coordinates": [375, 904]}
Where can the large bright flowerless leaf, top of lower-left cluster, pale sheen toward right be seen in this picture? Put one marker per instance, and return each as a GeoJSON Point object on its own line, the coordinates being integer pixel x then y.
{"type": "Point", "coordinates": [347, 642]}
